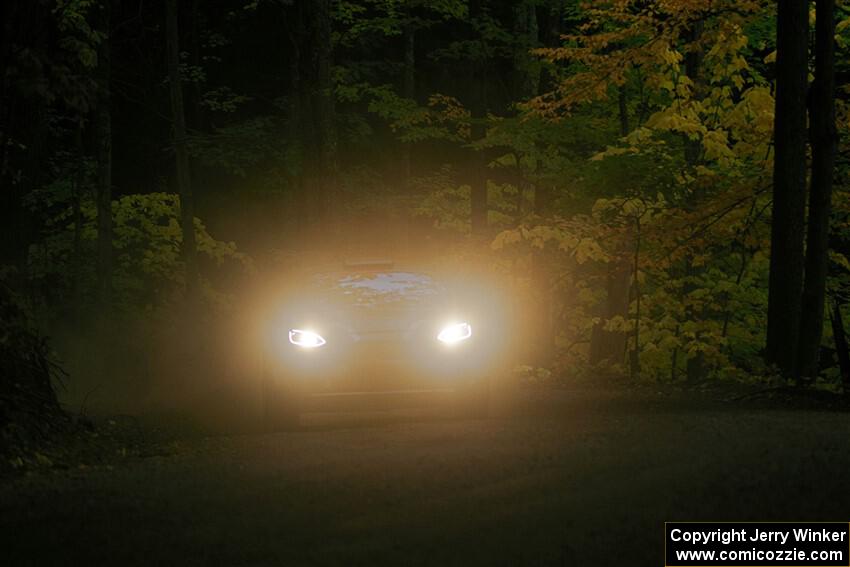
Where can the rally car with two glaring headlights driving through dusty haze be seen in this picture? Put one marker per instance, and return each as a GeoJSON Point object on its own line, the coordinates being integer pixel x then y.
{"type": "Point", "coordinates": [371, 335]}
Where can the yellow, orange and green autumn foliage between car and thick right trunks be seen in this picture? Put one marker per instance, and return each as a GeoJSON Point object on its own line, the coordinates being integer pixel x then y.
{"type": "Point", "coordinates": [678, 202]}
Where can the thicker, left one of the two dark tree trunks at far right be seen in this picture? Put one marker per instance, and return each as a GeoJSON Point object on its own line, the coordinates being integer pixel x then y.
{"type": "Point", "coordinates": [789, 187]}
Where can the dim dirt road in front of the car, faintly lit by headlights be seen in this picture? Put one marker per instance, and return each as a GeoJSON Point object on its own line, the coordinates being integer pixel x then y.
{"type": "Point", "coordinates": [584, 479]}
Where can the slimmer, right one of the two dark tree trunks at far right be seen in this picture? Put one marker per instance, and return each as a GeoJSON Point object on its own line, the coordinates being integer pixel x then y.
{"type": "Point", "coordinates": [824, 139]}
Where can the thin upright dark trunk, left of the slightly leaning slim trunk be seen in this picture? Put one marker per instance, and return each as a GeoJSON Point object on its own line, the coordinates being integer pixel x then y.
{"type": "Point", "coordinates": [103, 141]}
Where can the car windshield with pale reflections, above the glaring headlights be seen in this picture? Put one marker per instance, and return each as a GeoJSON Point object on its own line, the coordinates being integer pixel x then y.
{"type": "Point", "coordinates": [379, 288]}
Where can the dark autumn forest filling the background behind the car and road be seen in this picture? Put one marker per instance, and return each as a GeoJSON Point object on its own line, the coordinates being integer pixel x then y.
{"type": "Point", "coordinates": [662, 185]}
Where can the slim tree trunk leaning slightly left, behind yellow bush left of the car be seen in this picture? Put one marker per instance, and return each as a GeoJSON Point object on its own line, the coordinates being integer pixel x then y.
{"type": "Point", "coordinates": [184, 182]}
